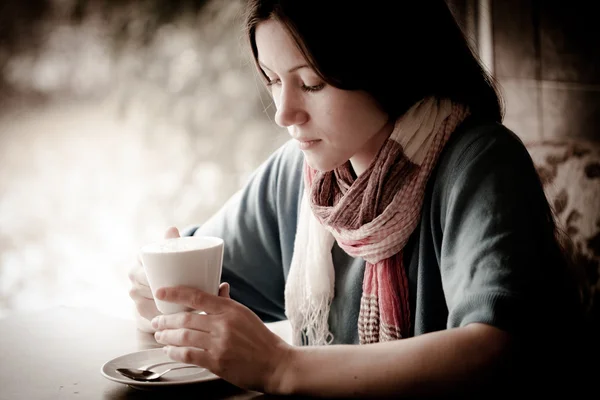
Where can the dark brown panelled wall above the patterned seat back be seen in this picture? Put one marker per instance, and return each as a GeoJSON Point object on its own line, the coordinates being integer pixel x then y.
{"type": "Point", "coordinates": [546, 57]}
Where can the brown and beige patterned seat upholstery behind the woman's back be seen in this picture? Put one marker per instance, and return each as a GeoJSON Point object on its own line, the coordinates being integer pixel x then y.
{"type": "Point", "coordinates": [570, 171]}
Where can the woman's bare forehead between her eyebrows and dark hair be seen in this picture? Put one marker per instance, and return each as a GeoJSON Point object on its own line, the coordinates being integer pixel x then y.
{"type": "Point", "coordinates": [276, 48]}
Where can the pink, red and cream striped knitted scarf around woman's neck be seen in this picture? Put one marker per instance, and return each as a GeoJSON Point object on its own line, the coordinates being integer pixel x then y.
{"type": "Point", "coordinates": [371, 217]}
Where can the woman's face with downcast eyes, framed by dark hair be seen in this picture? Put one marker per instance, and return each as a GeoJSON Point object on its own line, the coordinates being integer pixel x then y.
{"type": "Point", "coordinates": [330, 125]}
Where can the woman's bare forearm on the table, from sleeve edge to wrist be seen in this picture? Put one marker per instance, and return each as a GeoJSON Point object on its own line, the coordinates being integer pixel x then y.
{"type": "Point", "coordinates": [436, 363]}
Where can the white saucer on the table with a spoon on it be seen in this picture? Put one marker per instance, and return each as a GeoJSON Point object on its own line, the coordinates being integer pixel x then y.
{"type": "Point", "coordinates": [184, 376]}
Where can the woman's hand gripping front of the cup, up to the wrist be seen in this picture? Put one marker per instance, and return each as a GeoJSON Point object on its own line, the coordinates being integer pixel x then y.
{"type": "Point", "coordinates": [229, 340]}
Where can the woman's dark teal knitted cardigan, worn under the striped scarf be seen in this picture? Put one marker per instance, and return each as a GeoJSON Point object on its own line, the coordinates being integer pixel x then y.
{"type": "Point", "coordinates": [484, 250]}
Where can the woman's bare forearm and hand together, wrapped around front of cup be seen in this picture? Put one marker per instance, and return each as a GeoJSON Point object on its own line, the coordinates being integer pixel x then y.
{"type": "Point", "coordinates": [232, 342]}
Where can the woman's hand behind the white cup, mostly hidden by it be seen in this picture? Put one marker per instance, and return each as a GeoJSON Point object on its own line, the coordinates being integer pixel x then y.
{"type": "Point", "coordinates": [140, 291]}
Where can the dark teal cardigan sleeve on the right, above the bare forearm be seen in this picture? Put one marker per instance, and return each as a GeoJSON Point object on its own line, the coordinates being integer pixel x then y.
{"type": "Point", "coordinates": [499, 262]}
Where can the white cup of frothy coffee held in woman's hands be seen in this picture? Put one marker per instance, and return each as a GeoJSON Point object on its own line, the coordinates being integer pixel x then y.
{"type": "Point", "coordinates": [194, 261]}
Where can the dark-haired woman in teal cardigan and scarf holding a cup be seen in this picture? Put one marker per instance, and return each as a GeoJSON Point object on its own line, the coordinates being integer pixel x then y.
{"type": "Point", "coordinates": [403, 231]}
